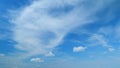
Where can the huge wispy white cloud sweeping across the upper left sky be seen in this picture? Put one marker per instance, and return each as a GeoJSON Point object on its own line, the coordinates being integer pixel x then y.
{"type": "Point", "coordinates": [41, 26]}
